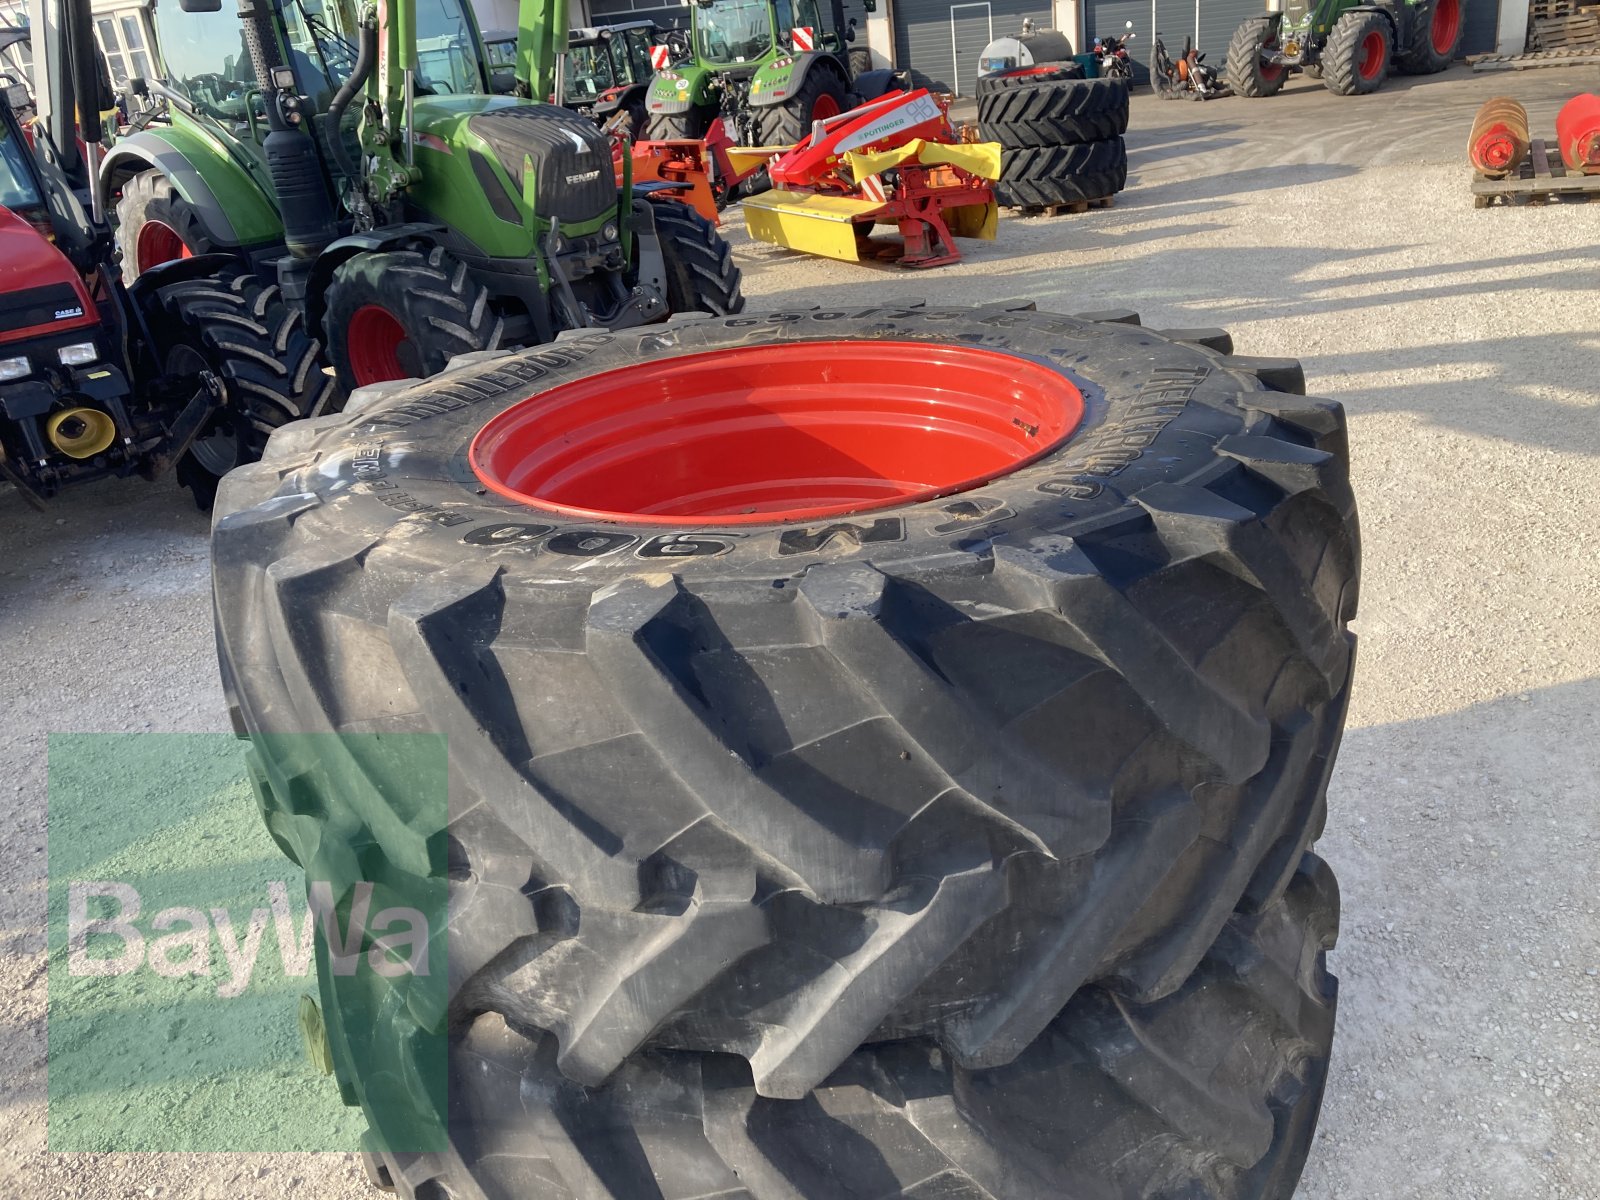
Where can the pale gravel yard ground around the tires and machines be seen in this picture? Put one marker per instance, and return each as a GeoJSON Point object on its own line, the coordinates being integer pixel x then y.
{"type": "Point", "coordinates": [1465, 809]}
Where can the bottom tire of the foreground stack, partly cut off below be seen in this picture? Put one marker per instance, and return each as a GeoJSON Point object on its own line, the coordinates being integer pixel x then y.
{"type": "Point", "coordinates": [1209, 1092]}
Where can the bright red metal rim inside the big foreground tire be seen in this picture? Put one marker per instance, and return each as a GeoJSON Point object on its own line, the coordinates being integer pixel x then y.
{"type": "Point", "coordinates": [782, 433]}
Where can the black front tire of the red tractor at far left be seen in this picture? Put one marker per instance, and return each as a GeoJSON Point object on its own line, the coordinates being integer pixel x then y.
{"type": "Point", "coordinates": [260, 350]}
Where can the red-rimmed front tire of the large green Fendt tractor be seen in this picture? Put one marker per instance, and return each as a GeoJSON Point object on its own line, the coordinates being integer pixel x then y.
{"type": "Point", "coordinates": [402, 314]}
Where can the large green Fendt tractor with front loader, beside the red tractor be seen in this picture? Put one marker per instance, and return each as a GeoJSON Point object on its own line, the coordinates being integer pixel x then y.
{"type": "Point", "coordinates": [356, 156]}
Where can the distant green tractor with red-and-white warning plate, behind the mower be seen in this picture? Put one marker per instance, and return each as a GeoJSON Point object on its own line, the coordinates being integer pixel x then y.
{"type": "Point", "coordinates": [767, 66]}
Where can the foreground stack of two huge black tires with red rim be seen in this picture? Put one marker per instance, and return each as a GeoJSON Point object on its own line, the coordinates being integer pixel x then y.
{"type": "Point", "coordinates": [842, 802]}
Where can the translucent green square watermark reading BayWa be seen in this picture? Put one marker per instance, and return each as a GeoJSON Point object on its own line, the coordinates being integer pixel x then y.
{"type": "Point", "coordinates": [247, 943]}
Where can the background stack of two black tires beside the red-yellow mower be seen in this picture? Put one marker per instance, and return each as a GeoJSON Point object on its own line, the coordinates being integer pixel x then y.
{"type": "Point", "coordinates": [1060, 135]}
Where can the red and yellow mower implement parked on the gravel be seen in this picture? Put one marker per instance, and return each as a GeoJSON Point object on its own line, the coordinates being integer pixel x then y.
{"type": "Point", "coordinates": [895, 161]}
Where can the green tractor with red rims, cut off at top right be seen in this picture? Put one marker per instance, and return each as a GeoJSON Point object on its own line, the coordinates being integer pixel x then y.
{"type": "Point", "coordinates": [1353, 47]}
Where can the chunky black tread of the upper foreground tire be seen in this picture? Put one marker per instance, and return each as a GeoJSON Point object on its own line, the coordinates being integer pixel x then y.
{"type": "Point", "coordinates": [745, 830]}
